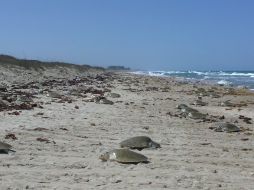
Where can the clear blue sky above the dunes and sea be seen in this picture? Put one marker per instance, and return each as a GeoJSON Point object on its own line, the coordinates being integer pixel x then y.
{"type": "Point", "coordinates": [142, 34]}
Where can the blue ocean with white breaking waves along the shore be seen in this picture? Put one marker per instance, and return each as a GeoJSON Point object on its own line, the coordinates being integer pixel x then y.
{"type": "Point", "coordinates": [227, 78]}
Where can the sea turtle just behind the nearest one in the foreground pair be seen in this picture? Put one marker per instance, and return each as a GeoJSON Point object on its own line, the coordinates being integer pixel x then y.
{"type": "Point", "coordinates": [139, 142]}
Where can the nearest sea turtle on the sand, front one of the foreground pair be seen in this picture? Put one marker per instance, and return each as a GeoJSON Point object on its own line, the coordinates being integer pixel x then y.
{"type": "Point", "coordinates": [125, 156]}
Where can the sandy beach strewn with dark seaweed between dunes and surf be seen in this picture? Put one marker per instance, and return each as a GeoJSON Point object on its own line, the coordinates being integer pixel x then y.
{"type": "Point", "coordinates": [59, 139]}
